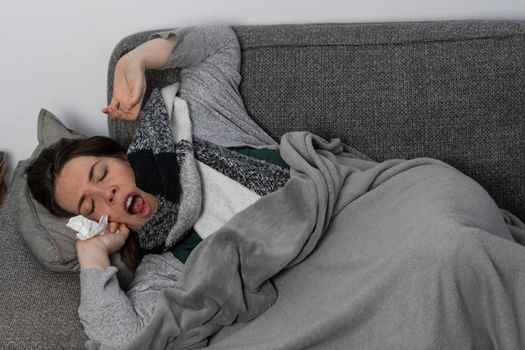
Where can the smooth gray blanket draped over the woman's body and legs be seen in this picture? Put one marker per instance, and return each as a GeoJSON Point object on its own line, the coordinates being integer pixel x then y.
{"type": "Point", "coordinates": [405, 254]}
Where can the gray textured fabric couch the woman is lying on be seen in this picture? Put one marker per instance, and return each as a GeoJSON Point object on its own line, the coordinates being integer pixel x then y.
{"type": "Point", "coordinates": [448, 90]}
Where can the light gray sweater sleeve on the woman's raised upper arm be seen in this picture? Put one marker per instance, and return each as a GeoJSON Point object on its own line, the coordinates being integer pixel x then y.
{"type": "Point", "coordinates": [210, 62]}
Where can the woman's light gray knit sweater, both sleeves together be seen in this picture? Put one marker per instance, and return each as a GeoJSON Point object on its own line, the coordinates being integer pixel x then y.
{"type": "Point", "coordinates": [209, 58]}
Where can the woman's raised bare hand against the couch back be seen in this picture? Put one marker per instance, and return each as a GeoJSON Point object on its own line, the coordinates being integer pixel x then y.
{"type": "Point", "coordinates": [129, 86]}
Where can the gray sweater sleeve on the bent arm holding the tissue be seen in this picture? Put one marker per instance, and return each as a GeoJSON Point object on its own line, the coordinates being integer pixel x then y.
{"type": "Point", "coordinates": [113, 318]}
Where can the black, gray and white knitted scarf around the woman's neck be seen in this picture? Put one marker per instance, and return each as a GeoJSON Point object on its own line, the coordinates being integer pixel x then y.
{"type": "Point", "coordinates": [164, 163]}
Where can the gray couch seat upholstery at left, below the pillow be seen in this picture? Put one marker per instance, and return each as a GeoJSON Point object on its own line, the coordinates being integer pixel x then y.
{"type": "Point", "coordinates": [39, 307]}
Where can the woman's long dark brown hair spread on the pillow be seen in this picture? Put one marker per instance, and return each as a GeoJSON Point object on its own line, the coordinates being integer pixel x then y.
{"type": "Point", "coordinates": [42, 173]}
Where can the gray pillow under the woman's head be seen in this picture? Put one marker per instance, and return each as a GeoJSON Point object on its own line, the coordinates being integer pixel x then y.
{"type": "Point", "coordinates": [46, 235]}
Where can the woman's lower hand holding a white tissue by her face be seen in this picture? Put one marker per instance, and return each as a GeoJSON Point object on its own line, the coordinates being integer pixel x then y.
{"type": "Point", "coordinates": [95, 251]}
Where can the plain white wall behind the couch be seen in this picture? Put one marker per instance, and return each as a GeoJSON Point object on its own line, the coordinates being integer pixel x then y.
{"type": "Point", "coordinates": [54, 53]}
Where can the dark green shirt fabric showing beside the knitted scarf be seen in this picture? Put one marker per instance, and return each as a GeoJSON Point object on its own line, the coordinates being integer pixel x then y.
{"type": "Point", "coordinates": [183, 249]}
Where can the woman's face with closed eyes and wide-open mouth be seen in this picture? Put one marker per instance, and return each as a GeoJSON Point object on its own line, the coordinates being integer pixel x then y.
{"type": "Point", "coordinates": [94, 186]}
